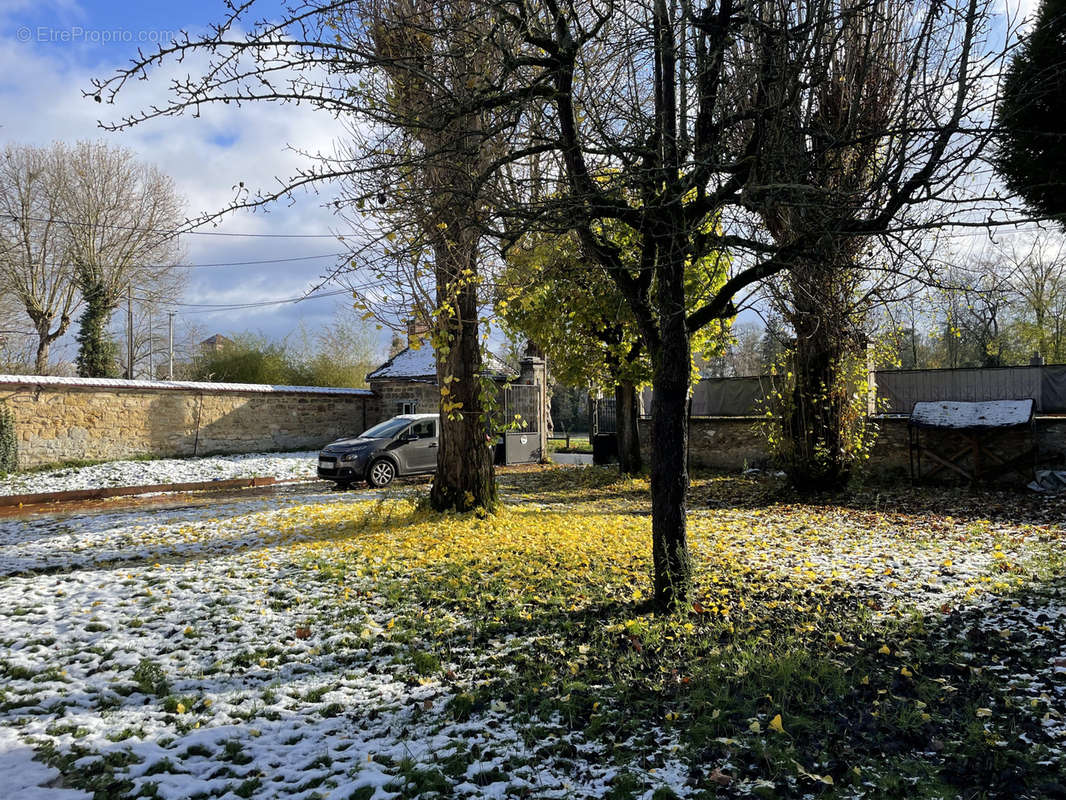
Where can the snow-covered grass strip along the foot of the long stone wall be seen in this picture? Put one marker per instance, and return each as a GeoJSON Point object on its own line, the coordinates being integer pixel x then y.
{"type": "Point", "coordinates": [283, 467]}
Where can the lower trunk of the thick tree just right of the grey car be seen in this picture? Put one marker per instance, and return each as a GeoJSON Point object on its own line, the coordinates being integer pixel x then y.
{"type": "Point", "coordinates": [465, 478]}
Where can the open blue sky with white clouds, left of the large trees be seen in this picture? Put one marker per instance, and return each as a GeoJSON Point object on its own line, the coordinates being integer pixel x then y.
{"type": "Point", "coordinates": [50, 53]}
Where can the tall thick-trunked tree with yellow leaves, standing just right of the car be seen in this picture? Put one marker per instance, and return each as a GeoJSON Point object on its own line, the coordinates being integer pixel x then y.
{"type": "Point", "coordinates": [432, 55]}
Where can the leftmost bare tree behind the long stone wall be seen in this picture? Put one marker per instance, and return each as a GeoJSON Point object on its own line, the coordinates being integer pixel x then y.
{"type": "Point", "coordinates": [35, 268]}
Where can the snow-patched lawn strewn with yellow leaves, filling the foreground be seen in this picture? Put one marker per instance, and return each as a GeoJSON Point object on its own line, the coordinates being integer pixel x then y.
{"type": "Point", "coordinates": [908, 645]}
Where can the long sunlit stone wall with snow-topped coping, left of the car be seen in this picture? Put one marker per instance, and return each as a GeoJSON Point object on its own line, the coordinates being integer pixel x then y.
{"type": "Point", "coordinates": [73, 420]}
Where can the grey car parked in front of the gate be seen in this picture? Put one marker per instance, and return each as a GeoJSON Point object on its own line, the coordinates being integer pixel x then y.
{"type": "Point", "coordinates": [405, 445]}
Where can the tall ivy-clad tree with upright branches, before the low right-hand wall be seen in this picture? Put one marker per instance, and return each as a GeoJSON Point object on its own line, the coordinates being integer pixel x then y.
{"type": "Point", "coordinates": [815, 178]}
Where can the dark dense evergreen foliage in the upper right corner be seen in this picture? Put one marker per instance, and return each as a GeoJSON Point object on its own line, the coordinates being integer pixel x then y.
{"type": "Point", "coordinates": [1031, 119]}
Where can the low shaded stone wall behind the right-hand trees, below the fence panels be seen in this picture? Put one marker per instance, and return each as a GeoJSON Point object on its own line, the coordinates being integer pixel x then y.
{"type": "Point", "coordinates": [734, 444]}
